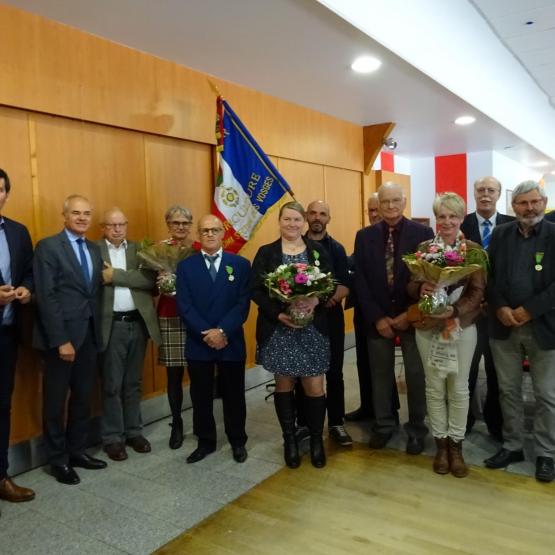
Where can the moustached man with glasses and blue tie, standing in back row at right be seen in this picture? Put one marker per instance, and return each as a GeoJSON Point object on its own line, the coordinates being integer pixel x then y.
{"type": "Point", "coordinates": [478, 227]}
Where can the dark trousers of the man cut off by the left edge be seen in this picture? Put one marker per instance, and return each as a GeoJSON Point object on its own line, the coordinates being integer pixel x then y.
{"type": "Point", "coordinates": [8, 358]}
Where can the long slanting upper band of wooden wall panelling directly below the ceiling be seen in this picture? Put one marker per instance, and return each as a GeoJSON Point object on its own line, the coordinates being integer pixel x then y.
{"type": "Point", "coordinates": [57, 69]}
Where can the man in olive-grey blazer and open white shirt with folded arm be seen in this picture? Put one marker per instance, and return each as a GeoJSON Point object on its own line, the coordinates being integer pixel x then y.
{"type": "Point", "coordinates": [127, 319]}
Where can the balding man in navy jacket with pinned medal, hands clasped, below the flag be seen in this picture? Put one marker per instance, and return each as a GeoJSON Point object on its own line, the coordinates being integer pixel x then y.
{"type": "Point", "coordinates": [213, 299]}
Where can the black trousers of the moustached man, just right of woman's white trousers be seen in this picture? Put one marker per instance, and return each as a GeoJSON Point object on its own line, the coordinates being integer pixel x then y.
{"type": "Point", "coordinates": [492, 408]}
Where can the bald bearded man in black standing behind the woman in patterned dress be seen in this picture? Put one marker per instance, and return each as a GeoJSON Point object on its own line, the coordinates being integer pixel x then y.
{"type": "Point", "coordinates": [318, 218]}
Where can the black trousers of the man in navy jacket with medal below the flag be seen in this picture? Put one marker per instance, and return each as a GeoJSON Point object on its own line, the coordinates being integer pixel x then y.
{"type": "Point", "coordinates": [232, 376]}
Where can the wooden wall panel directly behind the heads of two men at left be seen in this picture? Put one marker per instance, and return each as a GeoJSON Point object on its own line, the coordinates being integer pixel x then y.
{"type": "Point", "coordinates": [103, 163]}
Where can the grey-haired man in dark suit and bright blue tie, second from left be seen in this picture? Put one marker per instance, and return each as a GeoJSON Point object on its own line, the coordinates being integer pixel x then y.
{"type": "Point", "coordinates": [68, 273]}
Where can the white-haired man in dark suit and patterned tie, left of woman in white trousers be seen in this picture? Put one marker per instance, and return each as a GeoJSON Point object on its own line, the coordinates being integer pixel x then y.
{"type": "Point", "coordinates": [381, 280]}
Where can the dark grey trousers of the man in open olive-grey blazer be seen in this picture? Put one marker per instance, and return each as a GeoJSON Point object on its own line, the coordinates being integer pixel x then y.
{"type": "Point", "coordinates": [122, 372]}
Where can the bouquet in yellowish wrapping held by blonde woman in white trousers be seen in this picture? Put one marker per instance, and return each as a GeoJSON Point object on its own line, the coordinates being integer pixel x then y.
{"type": "Point", "coordinates": [444, 265]}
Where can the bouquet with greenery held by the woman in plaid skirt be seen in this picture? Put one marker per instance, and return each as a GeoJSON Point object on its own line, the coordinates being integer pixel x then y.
{"type": "Point", "coordinates": [163, 257]}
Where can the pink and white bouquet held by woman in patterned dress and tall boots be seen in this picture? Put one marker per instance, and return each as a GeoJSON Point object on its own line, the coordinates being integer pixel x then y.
{"type": "Point", "coordinates": [295, 283]}
